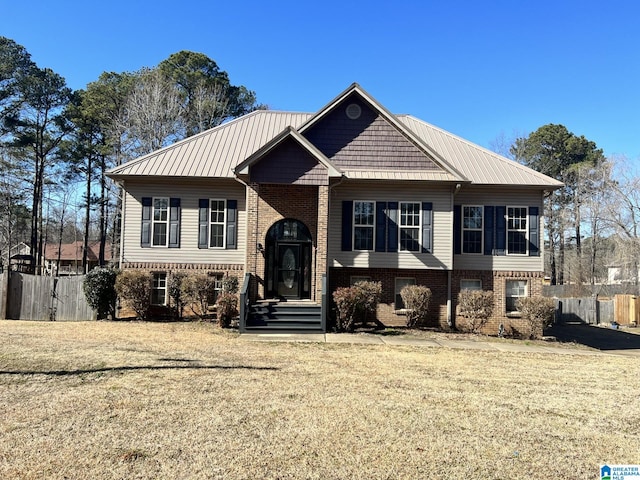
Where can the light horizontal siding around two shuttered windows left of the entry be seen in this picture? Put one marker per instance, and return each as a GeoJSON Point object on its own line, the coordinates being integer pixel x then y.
{"type": "Point", "coordinates": [189, 193]}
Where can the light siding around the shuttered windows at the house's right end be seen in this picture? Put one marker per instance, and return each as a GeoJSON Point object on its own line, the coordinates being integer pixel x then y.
{"type": "Point", "coordinates": [471, 195]}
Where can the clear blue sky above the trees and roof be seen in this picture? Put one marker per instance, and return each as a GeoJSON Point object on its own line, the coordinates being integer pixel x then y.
{"type": "Point", "coordinates": [477, 69]}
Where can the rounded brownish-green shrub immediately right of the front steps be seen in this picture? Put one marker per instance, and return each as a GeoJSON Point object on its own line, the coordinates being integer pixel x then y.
{"type": "Point", "coordinates": [356, 304]}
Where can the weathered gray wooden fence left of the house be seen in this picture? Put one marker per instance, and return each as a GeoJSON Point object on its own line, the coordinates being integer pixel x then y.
{"type": "Point", "coordinates": [33, 297]}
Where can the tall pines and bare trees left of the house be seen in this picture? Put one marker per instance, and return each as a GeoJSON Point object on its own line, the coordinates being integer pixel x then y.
{"type": "Point", "coordinates": [54, 139]}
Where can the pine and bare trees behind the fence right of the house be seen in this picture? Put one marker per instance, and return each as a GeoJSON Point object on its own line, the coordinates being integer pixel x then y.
{"type": "Point", "coordinates": [592, 221]}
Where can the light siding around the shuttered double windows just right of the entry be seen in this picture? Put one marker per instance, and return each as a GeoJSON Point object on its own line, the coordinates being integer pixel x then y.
{"type": "Point", "coordinates": [440, 196]}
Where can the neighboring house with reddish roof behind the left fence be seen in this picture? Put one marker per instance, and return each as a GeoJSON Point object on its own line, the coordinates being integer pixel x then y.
{"type": "Point", "coordinates": [70, 256]}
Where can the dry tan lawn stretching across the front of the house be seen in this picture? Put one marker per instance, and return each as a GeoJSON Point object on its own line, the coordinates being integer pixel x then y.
{"type": "Point", "coordinates": [179, 401]}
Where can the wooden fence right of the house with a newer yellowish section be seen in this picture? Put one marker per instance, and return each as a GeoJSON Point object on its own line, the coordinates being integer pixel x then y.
{"type": "Point", "coordinates": [623, 309]}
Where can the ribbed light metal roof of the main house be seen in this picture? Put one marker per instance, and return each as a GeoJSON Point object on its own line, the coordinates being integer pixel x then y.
{"type": "Point", "coordinates": [217, 152]}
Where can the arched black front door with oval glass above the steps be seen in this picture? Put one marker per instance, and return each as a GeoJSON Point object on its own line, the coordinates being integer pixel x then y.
{"type": "Point", "coordinates": [288, 260]}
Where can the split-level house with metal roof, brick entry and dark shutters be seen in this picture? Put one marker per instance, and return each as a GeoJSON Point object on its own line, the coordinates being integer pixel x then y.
{"type": "Point", "coordinates": [299, 204]}
